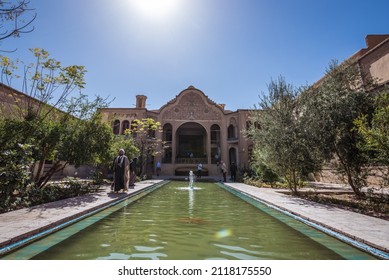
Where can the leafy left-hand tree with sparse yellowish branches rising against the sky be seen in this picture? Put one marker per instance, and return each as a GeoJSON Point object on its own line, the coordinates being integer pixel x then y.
{"type": "Point", "coordinates": [59, 125]}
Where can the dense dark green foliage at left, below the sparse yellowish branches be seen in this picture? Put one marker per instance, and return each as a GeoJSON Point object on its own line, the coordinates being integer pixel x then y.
{"type": "Point", "coordinates": [73, 142]}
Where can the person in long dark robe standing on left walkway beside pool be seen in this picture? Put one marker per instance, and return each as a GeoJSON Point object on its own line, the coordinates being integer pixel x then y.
{"type": "Point", "coordinates": [120, 172]}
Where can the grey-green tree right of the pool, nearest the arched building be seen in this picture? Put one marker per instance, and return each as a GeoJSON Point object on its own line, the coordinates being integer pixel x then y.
{"type": "Point", "coordinates": [280, 139]}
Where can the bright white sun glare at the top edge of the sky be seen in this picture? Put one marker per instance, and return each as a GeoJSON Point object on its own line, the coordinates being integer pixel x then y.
{"type": "Point", "coordinates": [155, 9]}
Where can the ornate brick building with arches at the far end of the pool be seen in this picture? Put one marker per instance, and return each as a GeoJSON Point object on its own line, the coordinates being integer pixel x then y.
{"type": "Point", "coordinates": [195, 129]}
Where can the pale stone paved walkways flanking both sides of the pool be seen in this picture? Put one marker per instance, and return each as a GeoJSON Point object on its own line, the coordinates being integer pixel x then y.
{"type": "Point", "coordinates": [20, 224]}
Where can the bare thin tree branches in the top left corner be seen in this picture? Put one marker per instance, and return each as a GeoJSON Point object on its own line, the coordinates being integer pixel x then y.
{"type": "Point", "coordinates": [16, 18]}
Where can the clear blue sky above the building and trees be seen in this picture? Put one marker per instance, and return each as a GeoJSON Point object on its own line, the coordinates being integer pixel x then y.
{"type": "Point", "coordinates": [228, 49]}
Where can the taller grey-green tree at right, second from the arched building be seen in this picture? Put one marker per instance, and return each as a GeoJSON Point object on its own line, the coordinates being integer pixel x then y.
{"type": "Point", "coordinates": [329, 110]}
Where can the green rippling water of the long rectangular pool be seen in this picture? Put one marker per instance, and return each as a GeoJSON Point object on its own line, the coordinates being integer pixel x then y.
{"type": "Point", "coordinates": [174, 222]}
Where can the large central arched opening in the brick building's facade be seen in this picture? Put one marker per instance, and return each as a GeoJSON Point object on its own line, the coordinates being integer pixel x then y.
{"type": "Point", "coordinates": [191, 143]}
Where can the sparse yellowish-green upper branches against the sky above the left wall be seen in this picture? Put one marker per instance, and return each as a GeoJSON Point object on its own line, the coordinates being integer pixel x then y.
{"type": "Point", "coordinates": [47, 81]}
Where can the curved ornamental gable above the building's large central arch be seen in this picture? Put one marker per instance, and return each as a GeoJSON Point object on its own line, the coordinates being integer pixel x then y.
{"type": "Point", "coordinates": [191, 106]}
